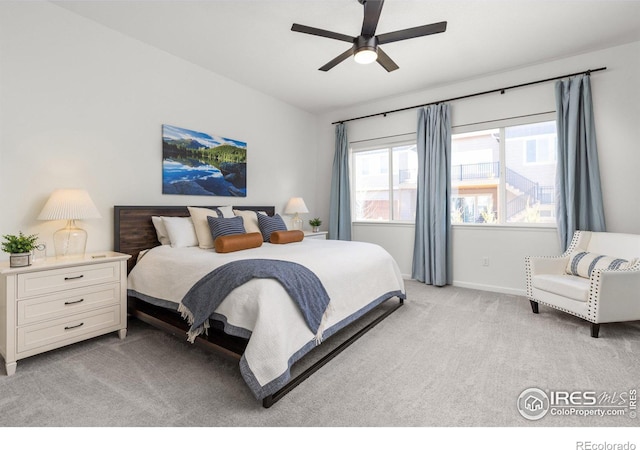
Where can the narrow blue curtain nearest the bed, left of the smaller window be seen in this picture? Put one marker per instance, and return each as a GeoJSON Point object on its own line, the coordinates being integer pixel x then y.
{"type": "Point", "coordinates": [340, 200]}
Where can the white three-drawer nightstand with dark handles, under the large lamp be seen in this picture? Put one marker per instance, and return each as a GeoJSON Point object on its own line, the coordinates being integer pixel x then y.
{"type": "Point", "coordinates": [54, 303]}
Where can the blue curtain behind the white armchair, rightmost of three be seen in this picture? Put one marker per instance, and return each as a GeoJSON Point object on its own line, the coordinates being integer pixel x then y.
{"type": "Point", "coordinates": [578, 192]}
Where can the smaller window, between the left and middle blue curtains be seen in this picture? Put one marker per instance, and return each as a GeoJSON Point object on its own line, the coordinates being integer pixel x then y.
{"type": "Point", "coordinates": [384, 182]}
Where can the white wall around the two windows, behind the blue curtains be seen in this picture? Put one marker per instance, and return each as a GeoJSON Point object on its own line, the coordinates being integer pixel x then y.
{"type": "Point", "coordinates": [616, 100]}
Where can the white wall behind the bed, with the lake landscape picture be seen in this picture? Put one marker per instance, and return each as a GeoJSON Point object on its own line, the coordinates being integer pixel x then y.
{"type": "Point", "coordinates": [82, 106]}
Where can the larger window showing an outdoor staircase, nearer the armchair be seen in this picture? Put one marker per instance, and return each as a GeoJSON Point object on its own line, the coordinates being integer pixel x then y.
{"type": "Point", "coordinates": [504, 175]}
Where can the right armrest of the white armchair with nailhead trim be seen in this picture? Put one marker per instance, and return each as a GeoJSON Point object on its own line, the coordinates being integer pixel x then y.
{"type": "Point", "coordinates": [615, 295]}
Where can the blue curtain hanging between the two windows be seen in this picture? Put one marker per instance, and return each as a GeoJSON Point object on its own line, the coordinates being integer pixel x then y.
{"type": "Point", "coordinates": [432, 244]}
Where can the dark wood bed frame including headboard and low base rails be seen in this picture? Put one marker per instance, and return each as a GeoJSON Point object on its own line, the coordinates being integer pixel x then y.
{"type": "Point", "coordinates": [134, 232]}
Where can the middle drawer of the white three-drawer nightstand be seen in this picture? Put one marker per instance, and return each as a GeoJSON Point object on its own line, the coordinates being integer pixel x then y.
{"type": "Point", "coordinates": [67, 303]}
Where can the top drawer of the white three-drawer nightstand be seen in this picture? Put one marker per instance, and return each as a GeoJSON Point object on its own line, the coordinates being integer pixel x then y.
{"type": "Point", "coordinates": [48, 281]}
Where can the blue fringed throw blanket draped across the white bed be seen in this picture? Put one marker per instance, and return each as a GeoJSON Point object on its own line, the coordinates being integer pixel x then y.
{"type": "Point", "coordinates": [302, 285]}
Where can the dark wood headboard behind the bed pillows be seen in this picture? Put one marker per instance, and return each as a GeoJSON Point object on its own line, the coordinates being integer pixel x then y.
{"type": "Point", "coordinates": [134, 230]}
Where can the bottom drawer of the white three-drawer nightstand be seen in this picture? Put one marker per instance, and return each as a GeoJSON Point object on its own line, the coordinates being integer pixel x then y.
{"type": "Point", "coordinates": [66, 330]}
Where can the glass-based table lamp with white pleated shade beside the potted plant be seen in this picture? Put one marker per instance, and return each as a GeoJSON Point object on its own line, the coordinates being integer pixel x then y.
{"type": "Point", "coordinates": [69, 205]}
